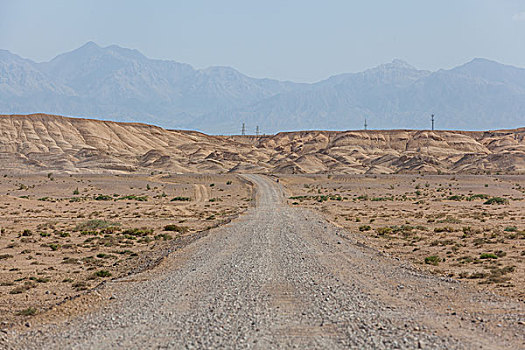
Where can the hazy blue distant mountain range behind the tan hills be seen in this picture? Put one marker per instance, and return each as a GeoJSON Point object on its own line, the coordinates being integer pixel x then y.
{"type": "Point", "coordinates": [123, 85]}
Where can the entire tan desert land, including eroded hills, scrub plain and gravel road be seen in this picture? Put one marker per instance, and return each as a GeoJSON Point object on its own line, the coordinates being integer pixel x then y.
{"type": "Point", "coordinates": [129, 235]}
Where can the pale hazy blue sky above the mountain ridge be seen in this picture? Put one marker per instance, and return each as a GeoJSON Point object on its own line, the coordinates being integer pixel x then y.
{"type": "Point", "coordinates": [299, 40]}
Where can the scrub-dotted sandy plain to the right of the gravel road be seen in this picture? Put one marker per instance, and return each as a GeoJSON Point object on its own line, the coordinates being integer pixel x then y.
{"type": "Point", "coordinates": [468, 227]}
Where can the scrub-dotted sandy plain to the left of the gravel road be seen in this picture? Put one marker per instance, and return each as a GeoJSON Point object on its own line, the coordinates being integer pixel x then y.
{"type": "Point", "coordinates": [63, 235]}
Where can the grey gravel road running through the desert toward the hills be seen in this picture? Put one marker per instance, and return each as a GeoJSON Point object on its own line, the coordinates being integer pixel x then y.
{"type": "Point", "coordinates": [282, 277]}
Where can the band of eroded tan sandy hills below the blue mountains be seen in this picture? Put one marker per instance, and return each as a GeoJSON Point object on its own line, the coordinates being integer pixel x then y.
{"type": "Point", "coordinates": [48, 143]}
